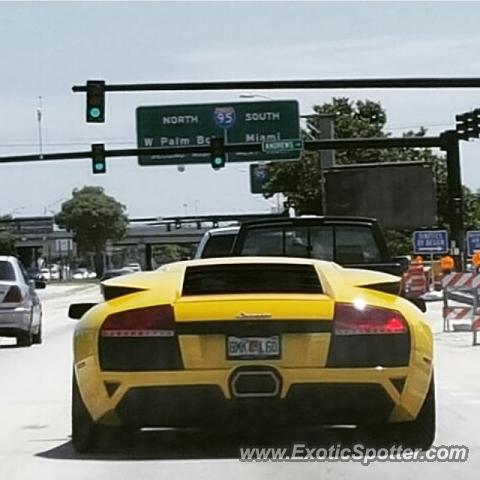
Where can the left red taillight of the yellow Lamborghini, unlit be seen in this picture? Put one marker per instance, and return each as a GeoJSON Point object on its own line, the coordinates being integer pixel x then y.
{"type": "Point", "coordinates": [158, 321]}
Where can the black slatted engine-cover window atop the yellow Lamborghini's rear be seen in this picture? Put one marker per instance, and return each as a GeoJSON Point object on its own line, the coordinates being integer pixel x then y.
{"type": "Point", "coordinates": [251, 278]}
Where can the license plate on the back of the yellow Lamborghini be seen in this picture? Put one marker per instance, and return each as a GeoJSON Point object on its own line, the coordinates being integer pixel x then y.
{"type": "Point", "coordinates": [253, 347]}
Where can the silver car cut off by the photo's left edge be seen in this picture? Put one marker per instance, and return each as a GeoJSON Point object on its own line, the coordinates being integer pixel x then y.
{"type": "Point", "coordinates": [20, 308]}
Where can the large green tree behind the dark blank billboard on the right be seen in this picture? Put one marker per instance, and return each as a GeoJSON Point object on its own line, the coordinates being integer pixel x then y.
{"type": "Point", "coordinates": [300, 181]}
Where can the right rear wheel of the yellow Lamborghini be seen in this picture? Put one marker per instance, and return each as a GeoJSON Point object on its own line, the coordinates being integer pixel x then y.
{"type": "Point", "coordinates": [419, 433]}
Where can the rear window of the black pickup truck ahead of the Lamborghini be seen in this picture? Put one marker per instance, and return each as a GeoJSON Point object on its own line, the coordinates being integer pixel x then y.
{"type": "Point", "coordinates": [344, 244]}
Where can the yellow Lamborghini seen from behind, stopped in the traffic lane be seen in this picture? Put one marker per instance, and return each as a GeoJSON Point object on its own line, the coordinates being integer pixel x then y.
{"type": "Point", "coordinates": [252, 341]}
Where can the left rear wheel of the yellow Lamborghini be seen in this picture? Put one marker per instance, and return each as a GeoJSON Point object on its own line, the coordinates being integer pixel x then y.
{"type": "Point", "coordinates": [88, 436]}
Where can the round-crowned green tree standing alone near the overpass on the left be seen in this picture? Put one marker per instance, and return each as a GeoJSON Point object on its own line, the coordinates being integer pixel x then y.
{"type": "Point", "coordinates": [94, 218]}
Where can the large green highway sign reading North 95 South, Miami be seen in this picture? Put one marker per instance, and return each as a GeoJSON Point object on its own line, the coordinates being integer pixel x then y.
{"type": "Point", "coordinates": [238, 122]}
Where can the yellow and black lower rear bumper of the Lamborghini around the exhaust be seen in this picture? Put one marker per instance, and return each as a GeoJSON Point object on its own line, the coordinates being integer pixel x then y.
{"type": "Point", "coordinates": [219, 397]}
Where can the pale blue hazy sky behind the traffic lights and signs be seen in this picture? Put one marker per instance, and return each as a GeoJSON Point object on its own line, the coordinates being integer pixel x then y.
{"type": "Point", "coordinates": [47, 47]}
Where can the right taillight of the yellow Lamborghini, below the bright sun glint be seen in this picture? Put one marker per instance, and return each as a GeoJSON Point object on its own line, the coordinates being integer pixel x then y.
{"type": "Point", "coordinates": [351, 319]}
